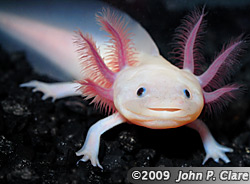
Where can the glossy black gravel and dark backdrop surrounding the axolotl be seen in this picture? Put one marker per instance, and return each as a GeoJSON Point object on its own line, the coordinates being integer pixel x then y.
{"type": "Point", "coordinates": [38, 139]}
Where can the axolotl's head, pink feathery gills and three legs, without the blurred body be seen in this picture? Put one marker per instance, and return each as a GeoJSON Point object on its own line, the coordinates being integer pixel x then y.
{"type": "Point", "coordinates": [147, 90]}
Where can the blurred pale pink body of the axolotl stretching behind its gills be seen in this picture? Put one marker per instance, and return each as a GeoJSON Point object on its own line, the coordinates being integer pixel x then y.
{"type": "Point", "coordinates": [44, 39]}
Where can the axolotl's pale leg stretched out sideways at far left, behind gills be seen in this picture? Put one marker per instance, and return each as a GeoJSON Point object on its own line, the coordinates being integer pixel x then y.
{"type": "Point", "coordinates": [55, 90]}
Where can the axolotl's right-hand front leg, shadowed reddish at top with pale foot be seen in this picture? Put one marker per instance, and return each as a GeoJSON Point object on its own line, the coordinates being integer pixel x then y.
{"type": "Point", "coordinates": [213, 149]}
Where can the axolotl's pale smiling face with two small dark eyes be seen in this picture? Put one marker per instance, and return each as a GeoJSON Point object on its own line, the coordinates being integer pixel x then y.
{"type": "Point", "coordinates": [158, 95]}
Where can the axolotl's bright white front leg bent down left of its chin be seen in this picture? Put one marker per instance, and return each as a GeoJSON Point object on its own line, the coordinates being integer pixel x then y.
{"type": "Point", "coordinates": [90, 148]}
